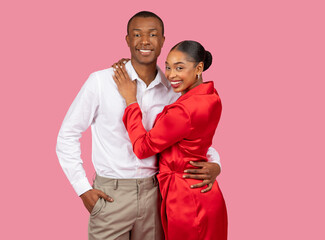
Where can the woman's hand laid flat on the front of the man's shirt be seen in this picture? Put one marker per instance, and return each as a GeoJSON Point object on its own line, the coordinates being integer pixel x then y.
{"type": "Point", "coordinates": [126, 87]}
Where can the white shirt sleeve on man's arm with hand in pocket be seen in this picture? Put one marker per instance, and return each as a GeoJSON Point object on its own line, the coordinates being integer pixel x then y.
{"type": "Point", "coordinates": [79, 117]}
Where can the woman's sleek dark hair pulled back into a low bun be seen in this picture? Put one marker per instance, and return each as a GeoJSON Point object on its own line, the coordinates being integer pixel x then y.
{"type": "Point", "coordinates": [195, 51]}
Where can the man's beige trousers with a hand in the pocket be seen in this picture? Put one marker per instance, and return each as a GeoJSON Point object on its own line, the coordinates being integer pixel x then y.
{"type": "Point", "coordinates": [134, 214]}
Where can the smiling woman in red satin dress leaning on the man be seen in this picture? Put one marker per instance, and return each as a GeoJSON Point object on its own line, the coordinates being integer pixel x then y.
{"type": "Point", "coordinates": [182, 132]}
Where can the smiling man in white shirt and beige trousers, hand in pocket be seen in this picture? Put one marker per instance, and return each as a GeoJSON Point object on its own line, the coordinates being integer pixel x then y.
{"type": "Point", "coordinates": [124, 200]}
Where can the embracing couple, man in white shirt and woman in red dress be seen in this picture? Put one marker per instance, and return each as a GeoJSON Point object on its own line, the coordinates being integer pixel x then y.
{"type": "Point", "coordinates": [151, 143]}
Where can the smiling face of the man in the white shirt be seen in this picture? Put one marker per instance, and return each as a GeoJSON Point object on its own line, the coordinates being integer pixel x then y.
{"type": "Point", "coordinates": [145, 40]}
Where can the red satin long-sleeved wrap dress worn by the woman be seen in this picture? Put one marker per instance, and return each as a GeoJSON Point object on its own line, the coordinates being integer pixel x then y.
{"type": "Point", "coordinates": [183, 132]}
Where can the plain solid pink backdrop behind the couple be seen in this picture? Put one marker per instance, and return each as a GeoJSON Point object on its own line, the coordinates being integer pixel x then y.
{"type": "Point", "coordinates": [269, 59]}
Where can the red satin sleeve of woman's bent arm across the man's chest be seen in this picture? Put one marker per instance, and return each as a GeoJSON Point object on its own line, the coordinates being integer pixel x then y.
{"type": "Point", "coordinates": [173, 124]}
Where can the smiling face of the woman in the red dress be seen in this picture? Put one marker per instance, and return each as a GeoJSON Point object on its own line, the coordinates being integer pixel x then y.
{"type": "Point", "coordinates": [182, 72]}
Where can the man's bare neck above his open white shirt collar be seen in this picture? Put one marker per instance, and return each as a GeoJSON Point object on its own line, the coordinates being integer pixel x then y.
{"type": "Point", "coordinates": [147, 72]}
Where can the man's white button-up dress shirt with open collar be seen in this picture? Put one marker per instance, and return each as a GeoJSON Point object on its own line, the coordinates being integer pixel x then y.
{"type": "Point", "coordinates": [99, 105]}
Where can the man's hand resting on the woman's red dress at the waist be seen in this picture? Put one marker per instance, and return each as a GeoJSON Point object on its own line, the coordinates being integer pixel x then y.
{"type": "Point", "coordinates": [206, 171]}
